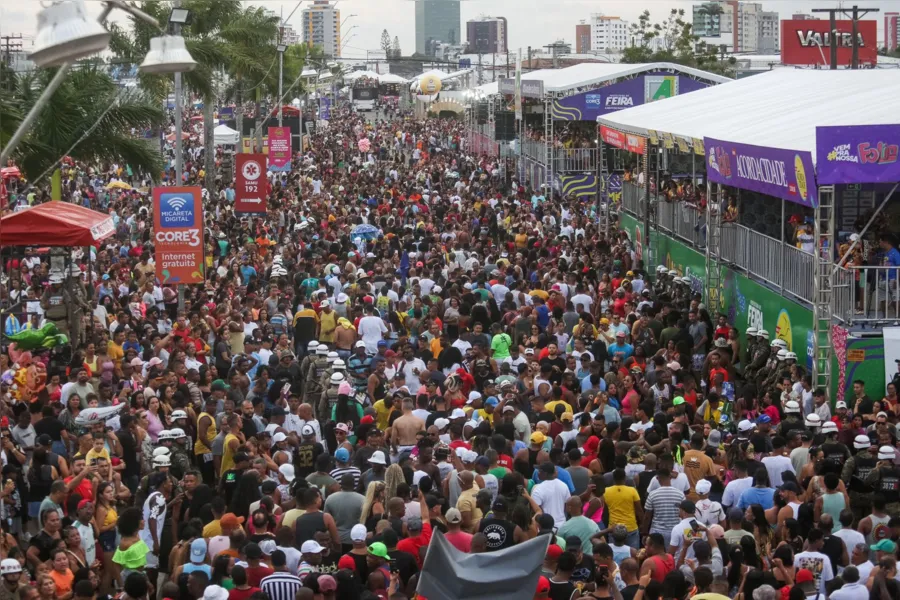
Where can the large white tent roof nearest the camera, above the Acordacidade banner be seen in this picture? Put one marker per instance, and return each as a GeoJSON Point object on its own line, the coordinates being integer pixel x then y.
{"type": "Point", "coordinates": [777, 109]}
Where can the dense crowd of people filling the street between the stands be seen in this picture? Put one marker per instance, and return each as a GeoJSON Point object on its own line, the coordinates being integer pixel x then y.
{"type": "Point", "coordinates": [481, 360]}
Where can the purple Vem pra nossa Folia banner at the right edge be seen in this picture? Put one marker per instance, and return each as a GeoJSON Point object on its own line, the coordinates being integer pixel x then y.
{"type": "Point", "coordinates": [857, 154]}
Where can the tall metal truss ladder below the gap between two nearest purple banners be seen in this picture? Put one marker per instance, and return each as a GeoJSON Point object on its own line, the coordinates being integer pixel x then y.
{"type": "Point", "coordinates": [823, 291]}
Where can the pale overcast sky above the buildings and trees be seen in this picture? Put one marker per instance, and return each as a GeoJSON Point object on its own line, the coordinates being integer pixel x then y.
{"type": "Point", "coordinates": [531, 22]}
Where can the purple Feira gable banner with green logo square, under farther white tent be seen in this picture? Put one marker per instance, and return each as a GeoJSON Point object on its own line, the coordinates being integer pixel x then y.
{"type": "Point", "coordinates": [647, 88]}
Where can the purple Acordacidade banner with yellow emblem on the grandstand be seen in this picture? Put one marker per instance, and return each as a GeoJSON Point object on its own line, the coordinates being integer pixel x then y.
{"type": "Point", "coordinates": [786, 174]}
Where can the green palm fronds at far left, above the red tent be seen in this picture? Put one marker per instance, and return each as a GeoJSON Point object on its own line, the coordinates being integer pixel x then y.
{"type": "Point", "coordinates": [88, 118]}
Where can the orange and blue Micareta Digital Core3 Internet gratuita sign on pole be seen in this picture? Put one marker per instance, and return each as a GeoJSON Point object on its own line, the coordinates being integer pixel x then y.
{"type": "Point", "coordinates": [178, 234]}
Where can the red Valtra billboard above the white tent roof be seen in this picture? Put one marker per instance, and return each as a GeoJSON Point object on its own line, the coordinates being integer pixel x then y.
{"type": "Point", "coordinates": [809, 42]}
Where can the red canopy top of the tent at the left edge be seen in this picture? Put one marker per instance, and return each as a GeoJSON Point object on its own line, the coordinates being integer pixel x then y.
{"type": "Point", "coordinates": [55, 224]}
